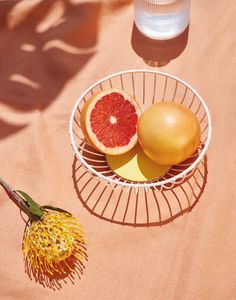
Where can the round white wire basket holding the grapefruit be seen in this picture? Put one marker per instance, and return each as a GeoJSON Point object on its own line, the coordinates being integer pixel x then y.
{"type": "Point", "coordinates": [148, 87]}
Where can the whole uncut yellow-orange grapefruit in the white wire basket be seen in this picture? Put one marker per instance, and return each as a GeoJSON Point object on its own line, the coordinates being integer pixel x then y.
{"type": "Point", "coordinates": [168, 132]}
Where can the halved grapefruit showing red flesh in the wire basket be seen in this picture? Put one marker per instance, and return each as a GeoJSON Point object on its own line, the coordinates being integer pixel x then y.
{"type": "Point", "coordinates": [109, 121]}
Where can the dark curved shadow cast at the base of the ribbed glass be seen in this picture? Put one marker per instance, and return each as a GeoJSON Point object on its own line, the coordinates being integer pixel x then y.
{"type": "Point", "coordinates": [158, 53]}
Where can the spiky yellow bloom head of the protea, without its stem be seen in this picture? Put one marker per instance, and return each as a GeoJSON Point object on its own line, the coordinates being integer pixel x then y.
{"type": "Point", "coordinates": [54, 244]}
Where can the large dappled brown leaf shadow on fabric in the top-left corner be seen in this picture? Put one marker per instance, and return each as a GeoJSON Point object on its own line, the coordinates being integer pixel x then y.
{"type": "Point", "coordinates": [39, 58]}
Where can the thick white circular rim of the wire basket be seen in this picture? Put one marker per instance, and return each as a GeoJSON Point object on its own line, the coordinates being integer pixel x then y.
{"type": "Point", "coordinates": [143, 184]}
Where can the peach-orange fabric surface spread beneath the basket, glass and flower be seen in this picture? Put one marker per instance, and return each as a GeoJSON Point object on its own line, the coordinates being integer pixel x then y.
{"type": "Point", "coordinates": [50, 52]}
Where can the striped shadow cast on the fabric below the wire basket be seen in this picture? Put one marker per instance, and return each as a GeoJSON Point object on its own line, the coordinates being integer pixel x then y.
{"type": "Point", "coordinates": [142, 207]}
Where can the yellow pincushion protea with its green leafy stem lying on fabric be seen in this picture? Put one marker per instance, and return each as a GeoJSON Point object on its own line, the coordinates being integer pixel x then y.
{"type": "Point", "coordinates": [53, 242]}
